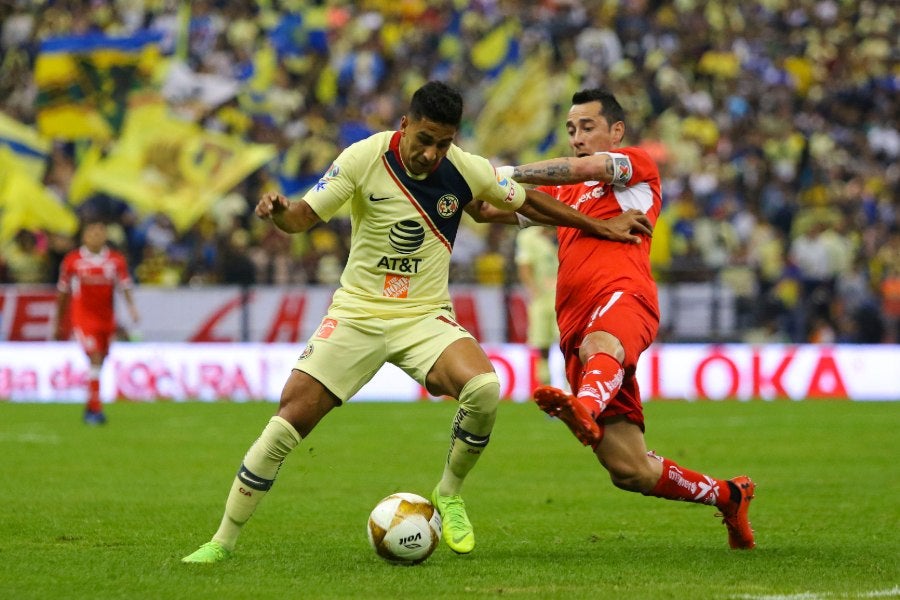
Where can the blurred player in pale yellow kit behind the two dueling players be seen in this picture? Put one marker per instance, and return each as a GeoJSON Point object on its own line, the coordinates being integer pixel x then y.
{"type": "Point", "coordinates": [537, 265]}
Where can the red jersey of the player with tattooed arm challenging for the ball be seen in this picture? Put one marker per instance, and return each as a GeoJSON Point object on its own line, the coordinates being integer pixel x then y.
{"type": "Point", "coordinates": [590, 267]}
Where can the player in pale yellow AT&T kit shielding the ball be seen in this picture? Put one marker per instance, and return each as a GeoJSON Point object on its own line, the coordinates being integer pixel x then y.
{"type": "Point", "coordinates": [407, 190]}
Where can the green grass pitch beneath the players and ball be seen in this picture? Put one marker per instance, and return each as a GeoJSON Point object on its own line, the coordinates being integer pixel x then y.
{"type": "Point", "coordinates": [108, 512]}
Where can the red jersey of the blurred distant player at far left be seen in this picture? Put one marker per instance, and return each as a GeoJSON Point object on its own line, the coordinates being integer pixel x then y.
{"type": "Point", "coordinates": [92, 280]}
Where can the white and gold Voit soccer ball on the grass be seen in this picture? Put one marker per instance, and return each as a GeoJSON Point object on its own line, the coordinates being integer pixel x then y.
{"type": "Point", "coordinates": [404, 528]}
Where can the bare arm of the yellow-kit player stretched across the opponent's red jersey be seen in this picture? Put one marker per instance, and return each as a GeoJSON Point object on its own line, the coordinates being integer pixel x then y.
{"type": "Point", "coordinates": [545, 209]}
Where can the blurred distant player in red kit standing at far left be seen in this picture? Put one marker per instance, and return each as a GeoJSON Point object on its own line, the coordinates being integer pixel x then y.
{"type": "Point", "coordinates": [88, 278]}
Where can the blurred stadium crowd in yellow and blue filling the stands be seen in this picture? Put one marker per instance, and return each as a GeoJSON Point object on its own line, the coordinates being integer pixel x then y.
{"type": "Point", "coordinates": [775, 125]}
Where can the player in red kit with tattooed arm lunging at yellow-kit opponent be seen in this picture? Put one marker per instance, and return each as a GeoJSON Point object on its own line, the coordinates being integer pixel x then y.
{"type": "Point", "coordinates": [607, 311]}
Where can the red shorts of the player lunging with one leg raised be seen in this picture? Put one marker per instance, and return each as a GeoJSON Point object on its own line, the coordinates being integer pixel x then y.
{"type": "Point", "coordinates": [635, 323]}
